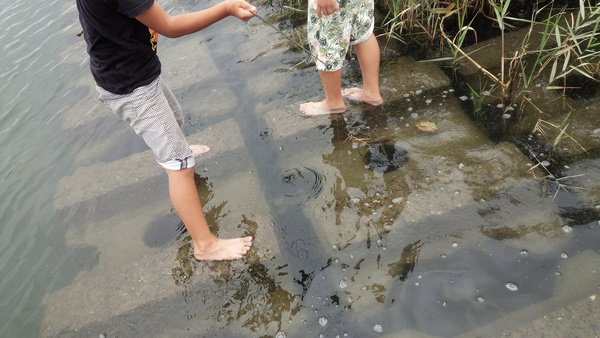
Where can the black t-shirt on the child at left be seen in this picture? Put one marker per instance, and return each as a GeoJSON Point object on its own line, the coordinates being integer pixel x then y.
{"type": "Point", "coordinates": [122, 50]}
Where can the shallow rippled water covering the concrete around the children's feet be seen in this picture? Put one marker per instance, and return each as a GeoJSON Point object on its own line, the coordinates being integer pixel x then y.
{"type": "Point", "coordinates": [451, 237]}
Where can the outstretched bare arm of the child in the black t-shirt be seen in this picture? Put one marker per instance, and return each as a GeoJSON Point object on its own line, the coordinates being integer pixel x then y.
{"type": "Point", "coordinates": [162, 22]}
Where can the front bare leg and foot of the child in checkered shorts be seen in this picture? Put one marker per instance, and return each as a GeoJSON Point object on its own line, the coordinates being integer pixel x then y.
{"type": "Point", "coordinates": [185, 199]}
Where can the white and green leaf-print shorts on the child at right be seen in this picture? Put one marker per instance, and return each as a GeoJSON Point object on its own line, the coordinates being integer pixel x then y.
{"type": "Point", "coordinates": [330, 36]}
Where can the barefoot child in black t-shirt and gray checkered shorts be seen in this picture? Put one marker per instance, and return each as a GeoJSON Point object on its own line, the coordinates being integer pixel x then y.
{"type": "Point", "coordinates": [121, 36]}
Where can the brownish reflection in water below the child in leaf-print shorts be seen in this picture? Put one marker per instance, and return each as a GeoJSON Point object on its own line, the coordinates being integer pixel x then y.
{"type": "Point", "coordinates": [382, 198]}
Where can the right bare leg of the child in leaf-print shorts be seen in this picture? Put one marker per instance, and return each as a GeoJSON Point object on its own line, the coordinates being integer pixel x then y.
{"type": "Point", "coordinates": [368, 59]}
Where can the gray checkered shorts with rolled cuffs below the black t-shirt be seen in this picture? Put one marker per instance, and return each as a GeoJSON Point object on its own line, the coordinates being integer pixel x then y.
{"type": "Point", "coordinates": [154, 114]}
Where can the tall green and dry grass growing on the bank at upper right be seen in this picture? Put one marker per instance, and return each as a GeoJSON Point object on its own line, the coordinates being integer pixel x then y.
{"type": "Point", "coordinates": [562, 40]}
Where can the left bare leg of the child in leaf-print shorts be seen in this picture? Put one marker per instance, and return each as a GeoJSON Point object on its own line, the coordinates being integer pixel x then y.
{"type": "Point", "coordinates": [334, 101]}
